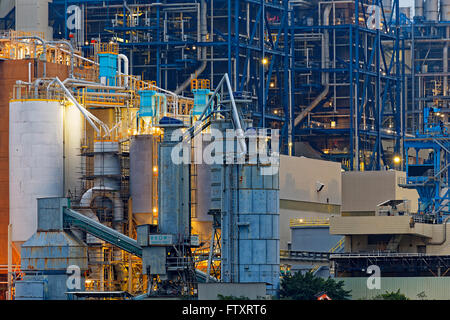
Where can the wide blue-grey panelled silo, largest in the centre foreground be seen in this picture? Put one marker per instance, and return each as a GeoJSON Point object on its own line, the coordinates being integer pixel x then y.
{"type": "Point", "coordinates": [248, 199]}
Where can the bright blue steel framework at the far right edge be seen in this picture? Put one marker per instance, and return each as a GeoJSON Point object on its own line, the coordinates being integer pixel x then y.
{"type": "Point", "coordinates": [427, 150]}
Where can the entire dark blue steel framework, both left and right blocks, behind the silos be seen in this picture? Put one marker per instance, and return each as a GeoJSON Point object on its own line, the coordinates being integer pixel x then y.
{"type": "Point", "coordinates": [165, 42]}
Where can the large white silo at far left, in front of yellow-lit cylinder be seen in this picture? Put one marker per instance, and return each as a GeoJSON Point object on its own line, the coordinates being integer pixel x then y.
{"type": "Point", "coordinates": [35, 161]}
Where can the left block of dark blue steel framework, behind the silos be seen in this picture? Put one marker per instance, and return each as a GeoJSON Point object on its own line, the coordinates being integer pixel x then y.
{"type": "Point", "coordinates": [165, 42]}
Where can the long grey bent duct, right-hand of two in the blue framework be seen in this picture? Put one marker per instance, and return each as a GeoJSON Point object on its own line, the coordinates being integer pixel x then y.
{"type": "Point", "coordinates": [324, 65]}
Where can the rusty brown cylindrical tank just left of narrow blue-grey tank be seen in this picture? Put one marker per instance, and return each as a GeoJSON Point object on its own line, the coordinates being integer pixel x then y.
{"type": "Point", "coordinates": [141, 178]}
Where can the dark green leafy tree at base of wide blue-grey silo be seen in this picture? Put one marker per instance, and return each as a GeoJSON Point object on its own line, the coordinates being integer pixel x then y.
{"type": "Point", "coordinates": [306, 286]}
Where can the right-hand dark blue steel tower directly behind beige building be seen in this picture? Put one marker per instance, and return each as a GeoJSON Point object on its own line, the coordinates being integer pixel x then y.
{"type": "Point", "coordinates": [367, 104]}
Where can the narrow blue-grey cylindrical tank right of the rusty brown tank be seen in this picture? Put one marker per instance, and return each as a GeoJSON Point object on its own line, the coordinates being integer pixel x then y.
{"type": "Point", "coordinates": [173, 186]}
